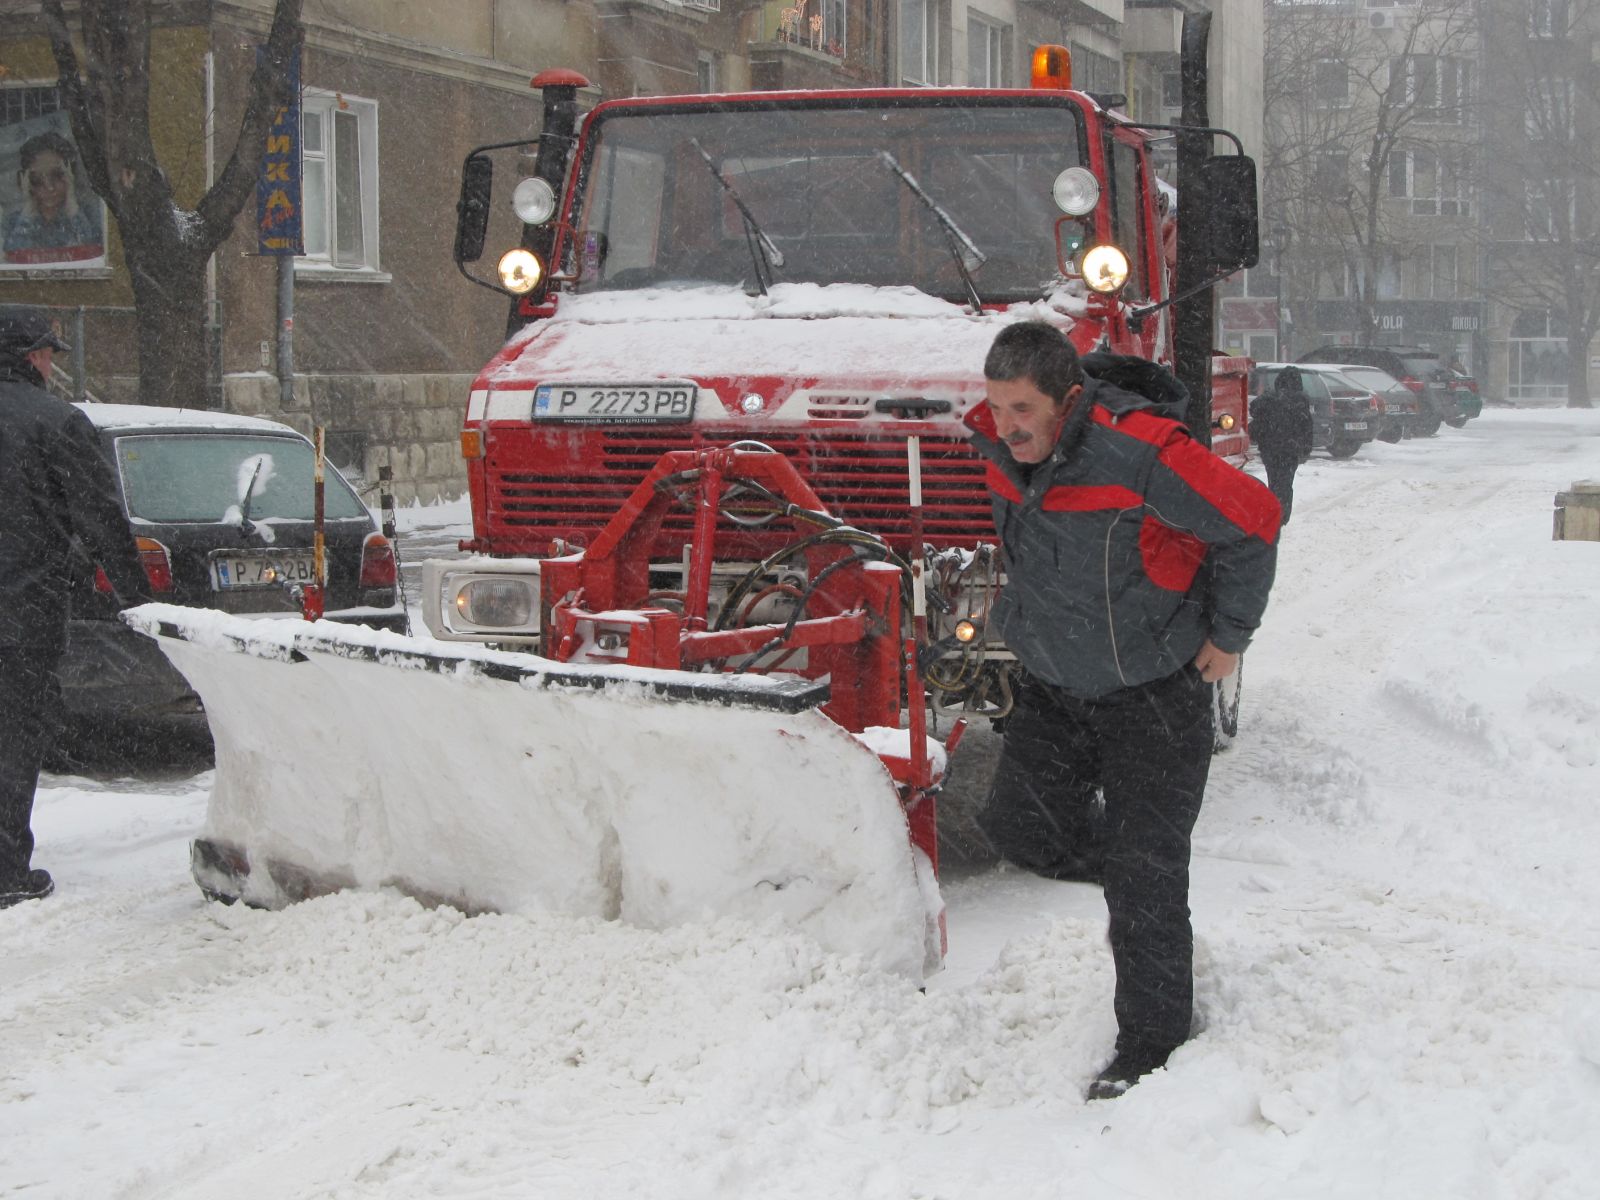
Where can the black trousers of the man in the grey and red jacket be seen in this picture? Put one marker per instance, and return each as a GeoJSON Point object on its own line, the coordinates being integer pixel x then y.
{"type": "Point", "coordinates": [1150, 751]}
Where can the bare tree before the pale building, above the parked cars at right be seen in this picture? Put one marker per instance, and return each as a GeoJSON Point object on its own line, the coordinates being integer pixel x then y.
{"type": "Point", "coordinates": [1345, 102]}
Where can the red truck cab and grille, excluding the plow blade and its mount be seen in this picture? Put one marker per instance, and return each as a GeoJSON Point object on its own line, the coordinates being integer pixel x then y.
{"type": "Point", "coordinates": [818, 274]}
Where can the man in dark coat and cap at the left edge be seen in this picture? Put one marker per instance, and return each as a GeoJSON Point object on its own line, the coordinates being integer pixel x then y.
{"type": "Point", "coordinates": [58, 500]}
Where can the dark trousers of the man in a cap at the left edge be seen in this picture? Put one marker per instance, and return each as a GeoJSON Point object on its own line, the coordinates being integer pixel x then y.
{"type": "Point", "coordinates": [30, 714]}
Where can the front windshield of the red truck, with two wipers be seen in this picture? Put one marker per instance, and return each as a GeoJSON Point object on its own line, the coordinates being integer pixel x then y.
{"type": "Point", "coordinates": [812, 177]}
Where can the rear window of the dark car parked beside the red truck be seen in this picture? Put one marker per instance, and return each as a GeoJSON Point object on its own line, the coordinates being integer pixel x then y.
{"type": "Point", "coordinates": [209, 478]}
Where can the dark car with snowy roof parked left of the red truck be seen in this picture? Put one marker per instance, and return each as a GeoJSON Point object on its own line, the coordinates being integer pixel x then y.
{"type": "Point", "coordinates": [223, 511]}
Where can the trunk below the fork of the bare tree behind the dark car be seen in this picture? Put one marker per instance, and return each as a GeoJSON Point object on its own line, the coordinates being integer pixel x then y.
{"type": "Point", "coordinates": [169, 290]}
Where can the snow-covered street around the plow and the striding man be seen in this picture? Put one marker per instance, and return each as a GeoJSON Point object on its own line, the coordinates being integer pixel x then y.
{"type": "Point", "coordinates": [1398, 919]}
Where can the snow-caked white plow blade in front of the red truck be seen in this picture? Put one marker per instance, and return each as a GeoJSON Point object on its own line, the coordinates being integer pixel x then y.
{"type": "Point", "coordinates": [502, 782]}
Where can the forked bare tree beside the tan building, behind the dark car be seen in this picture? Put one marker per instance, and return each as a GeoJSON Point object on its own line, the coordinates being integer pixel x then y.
{"type": "Point", "coordinates": [166, 247]}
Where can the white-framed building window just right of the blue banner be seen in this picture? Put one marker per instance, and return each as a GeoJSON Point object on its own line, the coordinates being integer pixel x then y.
{"type": "Point", "coordinates": [340, 162]}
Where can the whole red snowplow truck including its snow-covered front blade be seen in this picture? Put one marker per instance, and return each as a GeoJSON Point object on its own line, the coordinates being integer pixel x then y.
{"type": "Point", "coordinates": [730, 542]}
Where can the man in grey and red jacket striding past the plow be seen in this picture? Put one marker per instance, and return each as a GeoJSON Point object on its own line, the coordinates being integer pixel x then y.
{"type": "Point", "coordinates": [1138, 567]}
